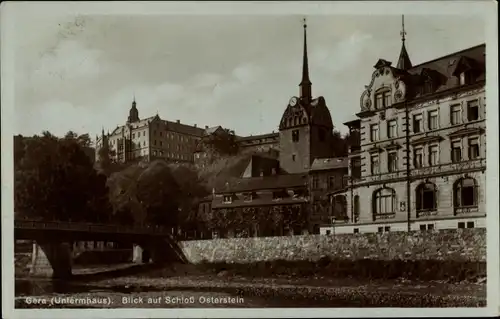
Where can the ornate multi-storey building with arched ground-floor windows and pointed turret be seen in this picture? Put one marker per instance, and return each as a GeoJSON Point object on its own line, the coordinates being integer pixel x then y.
{"type": "Point", "coordinates": [420, 161]}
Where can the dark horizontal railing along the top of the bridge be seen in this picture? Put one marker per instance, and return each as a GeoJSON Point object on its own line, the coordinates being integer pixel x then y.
{"type": "Point", "coordinates": [89, 227]}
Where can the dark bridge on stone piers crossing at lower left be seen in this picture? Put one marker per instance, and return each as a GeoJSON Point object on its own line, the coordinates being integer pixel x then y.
{"type": "Point", "coordinates": [52, 251]}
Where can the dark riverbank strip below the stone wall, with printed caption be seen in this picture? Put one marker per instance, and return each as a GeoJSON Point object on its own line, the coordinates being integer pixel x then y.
{"type": "Point", "coordinates": [194, 291]}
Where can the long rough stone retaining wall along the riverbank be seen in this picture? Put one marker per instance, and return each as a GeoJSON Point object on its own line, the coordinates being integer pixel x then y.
{"type": "Point", "coordinates": [444, 245]}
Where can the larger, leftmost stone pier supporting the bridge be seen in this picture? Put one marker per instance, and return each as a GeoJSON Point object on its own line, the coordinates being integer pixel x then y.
{"type": "Point", "coordinates": [51, 259]}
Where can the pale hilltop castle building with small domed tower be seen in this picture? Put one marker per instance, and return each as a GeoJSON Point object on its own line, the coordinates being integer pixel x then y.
{"type": "Point", "coordinates": [150, 138]}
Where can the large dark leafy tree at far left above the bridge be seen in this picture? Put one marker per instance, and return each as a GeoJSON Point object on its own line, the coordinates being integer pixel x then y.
{"type": "Point", "coordinates": [55, 179]}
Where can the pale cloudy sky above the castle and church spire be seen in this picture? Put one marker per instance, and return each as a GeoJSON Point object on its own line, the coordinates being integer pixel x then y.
{"type": "Point", "coordinates": [81, 72]}
